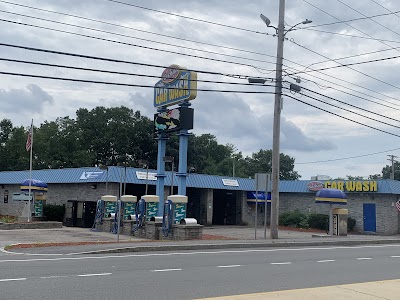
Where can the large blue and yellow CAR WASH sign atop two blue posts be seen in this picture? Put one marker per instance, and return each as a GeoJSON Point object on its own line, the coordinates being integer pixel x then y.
{"type": "Point", "coordinates": [176, 85]}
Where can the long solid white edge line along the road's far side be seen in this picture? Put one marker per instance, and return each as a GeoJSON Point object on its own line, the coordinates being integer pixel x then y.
{"type": "Point", "coordinates": [196, 253]}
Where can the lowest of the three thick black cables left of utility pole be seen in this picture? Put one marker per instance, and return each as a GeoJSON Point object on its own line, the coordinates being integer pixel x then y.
{"type": "Point", "coordinates": [127, 84]}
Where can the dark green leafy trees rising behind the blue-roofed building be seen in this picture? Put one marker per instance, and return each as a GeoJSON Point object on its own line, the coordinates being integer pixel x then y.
{"type": "Point", "coordinates": [110, 136]}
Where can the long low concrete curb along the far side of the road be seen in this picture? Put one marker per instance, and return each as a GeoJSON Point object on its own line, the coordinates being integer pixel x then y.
{"type": "Point", "coordinates": [240, 246]}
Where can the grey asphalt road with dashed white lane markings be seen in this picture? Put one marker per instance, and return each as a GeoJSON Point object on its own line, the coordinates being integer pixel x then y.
{"type": "Point", "coordinates": [192, 274]}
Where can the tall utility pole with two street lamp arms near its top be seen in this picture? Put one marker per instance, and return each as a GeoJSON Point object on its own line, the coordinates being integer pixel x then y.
{"type": "Point", "coordinates": [281, 32]}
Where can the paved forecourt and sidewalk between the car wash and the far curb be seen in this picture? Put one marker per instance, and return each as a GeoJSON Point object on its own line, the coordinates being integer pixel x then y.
{"type": "Point", "coordinates": [69, 240]}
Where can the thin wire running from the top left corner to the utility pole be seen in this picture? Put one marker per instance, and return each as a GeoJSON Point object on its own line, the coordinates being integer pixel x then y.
{"type": "Point", "coordinates": [136, 29]}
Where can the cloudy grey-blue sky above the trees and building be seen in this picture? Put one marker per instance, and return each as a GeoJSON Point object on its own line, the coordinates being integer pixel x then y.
{"type": "Point", "coordinates": [226, 37]}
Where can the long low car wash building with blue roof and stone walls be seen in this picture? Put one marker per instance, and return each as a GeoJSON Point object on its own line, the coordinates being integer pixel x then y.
{"type": "Point", "coordinates": [212, 200]}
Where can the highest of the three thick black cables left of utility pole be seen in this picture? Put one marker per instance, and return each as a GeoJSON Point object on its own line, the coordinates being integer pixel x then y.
{"type": "Point", "coordinates": [114, 60]}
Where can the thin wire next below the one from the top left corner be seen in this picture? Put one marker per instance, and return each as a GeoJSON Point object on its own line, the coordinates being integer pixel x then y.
{"type": "Point", "coordinates": [134, 37]}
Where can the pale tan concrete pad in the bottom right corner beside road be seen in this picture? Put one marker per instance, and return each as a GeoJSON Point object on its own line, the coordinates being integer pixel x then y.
{"type": "Point", "coordinates": [389, 290]}
